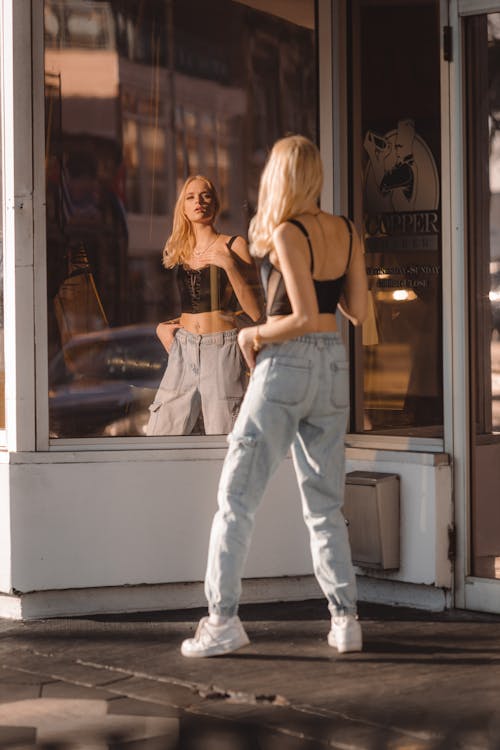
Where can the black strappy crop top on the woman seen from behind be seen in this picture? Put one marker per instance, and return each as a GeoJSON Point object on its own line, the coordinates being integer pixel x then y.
{"type": "Point", "coordinates": [327, 292]}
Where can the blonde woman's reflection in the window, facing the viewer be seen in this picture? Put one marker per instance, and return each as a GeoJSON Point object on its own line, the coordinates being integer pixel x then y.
{"type": "Point", "coordinates": [205, 369]}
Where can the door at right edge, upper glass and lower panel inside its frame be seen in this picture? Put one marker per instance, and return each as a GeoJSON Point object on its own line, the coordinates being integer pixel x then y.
{"type": "Point", "coordinates": [481, 40]}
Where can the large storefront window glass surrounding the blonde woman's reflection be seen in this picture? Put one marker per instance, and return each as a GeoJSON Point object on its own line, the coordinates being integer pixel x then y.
{"type": "Point", "coordinates": [139, 96]}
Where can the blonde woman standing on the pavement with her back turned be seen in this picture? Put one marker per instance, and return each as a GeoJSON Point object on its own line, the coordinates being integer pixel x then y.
{"type": "Point", "coordinates": [297, 396]}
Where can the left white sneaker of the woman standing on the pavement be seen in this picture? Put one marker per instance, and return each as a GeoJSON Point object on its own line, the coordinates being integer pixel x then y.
{"type": "Point", "coordinates": [214, 640]}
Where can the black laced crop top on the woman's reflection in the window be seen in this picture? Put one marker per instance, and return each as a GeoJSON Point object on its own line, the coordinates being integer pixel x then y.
{"type": "Point", "coordinates": [206, 289]}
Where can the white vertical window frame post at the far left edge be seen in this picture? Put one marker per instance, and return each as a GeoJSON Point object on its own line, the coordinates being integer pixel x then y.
{"type": "Point", "coordinates": [18, 226]}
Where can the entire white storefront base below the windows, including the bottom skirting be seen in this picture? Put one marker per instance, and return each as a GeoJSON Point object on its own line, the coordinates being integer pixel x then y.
{"type": "Point", "coordinates": [122, 531]}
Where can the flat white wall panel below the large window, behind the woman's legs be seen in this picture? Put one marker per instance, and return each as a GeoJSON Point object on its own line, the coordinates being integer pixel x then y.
{"type": "Point", "coordinates": [97, 523]}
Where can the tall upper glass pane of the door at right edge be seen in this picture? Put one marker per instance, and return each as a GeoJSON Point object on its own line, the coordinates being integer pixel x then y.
{"type": "Point", "coordinates": [483, 121]}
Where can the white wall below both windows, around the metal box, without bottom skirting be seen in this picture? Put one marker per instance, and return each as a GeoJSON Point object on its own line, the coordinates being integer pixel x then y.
{"type": "Point", "coordinates": [129, 518]}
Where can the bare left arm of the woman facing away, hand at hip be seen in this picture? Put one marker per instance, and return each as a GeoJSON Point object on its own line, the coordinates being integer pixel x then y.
{"type": "Point", "coordinates": [293, 259]}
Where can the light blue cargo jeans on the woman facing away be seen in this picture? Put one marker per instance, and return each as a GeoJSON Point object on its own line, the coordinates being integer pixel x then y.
{"type": "Point", "coordinates": [298, 396]}
